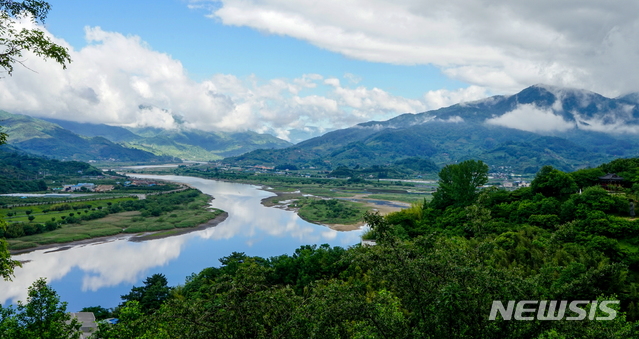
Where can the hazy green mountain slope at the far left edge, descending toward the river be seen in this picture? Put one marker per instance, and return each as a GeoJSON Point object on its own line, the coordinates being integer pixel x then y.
{"type": "Point", "coordinates": [48, 139]}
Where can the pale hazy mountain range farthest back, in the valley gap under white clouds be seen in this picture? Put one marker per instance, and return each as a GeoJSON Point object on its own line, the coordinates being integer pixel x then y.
{"type": "Point", "coordinates": [188, 144]}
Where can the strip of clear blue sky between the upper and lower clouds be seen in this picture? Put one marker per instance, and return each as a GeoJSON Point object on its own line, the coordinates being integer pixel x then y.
{"type": "Point", "coordinates": [206, 47]}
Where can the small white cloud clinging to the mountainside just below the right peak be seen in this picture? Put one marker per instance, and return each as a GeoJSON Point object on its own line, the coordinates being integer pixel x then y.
{"type": "Point", "coordinates": [532, 119]}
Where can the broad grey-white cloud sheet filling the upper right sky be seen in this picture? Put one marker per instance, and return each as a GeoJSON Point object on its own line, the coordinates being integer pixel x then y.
{"type": "Point", "coordinates": [497, 44]}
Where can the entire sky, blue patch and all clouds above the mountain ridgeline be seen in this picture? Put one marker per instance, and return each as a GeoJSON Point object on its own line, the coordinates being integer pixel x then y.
{"type": "Point", "coordinates": [296, 68]}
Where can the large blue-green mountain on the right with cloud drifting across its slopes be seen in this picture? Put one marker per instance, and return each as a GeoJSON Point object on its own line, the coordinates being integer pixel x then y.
{"type": "Point", "coordinates": [565, 128]}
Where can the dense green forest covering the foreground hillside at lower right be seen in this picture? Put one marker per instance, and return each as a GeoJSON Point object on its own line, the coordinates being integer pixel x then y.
{"type": "Point", "coordinates": [434, 273]}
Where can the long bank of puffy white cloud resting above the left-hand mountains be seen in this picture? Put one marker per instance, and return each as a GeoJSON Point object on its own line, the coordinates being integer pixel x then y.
{"type": "Point", "coordinates": [121, 80]}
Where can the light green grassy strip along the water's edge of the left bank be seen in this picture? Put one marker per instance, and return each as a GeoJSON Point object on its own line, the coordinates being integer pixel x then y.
{"type": "Point", "coordinates": [187, 215]}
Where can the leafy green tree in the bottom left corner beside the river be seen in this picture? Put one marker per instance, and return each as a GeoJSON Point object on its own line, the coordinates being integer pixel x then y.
{"type": "Point", "coordinates": [43, 316]}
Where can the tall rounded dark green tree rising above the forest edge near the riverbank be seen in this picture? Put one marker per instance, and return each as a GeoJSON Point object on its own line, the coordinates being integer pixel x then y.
{"type": "Point", "coordinates": [458, 183]}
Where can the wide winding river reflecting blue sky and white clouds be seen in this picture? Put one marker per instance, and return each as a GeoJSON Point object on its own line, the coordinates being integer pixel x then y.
{"type": "Point", "coordinates": [99, 273]}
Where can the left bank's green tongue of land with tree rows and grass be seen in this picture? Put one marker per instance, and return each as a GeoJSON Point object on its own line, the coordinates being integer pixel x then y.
{"type": "Point", "coordinates": [65, 222]}
